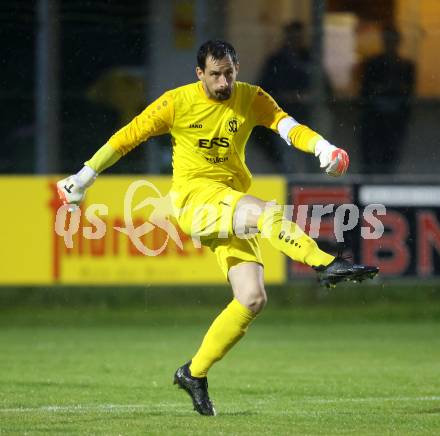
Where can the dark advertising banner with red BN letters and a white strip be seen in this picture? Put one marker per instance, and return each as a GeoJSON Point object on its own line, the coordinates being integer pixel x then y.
{"type": "Point", "coordinates": [408, 244]}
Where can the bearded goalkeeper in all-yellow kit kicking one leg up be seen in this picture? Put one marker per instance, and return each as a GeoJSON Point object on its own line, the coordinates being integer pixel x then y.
{"type": "Point", "coordinates": [210, 122]}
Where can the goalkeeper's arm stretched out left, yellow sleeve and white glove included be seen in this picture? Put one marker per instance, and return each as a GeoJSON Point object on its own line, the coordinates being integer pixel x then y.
{"type": "Point", "coordinates": [155, 120]}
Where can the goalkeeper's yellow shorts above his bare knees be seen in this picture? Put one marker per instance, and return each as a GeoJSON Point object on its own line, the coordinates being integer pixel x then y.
{"type": "Point", "coordinates": [204, 209]}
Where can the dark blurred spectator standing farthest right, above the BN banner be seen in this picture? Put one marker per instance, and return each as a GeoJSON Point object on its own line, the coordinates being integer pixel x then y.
{"type": "Point", "coordinates": [387, 88]}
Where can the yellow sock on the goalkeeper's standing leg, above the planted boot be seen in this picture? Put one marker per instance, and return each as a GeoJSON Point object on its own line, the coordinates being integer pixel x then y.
{"type": "Point", "coordinates": [226, 330]}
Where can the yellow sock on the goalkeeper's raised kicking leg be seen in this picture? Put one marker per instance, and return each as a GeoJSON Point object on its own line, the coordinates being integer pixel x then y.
{"type": "Point", "coordinates": [289, 238]}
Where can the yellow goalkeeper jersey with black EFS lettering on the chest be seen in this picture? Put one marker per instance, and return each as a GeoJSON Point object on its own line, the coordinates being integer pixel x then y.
{"type": "Point", "coordinates": [208, 136]}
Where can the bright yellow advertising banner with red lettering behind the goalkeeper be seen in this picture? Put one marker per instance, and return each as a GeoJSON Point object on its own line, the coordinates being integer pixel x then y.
{"type": "Point", "coordinates": [33, 253]}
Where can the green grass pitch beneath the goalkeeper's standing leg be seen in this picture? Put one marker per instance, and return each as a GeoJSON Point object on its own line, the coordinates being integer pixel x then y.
{"type": "Point", "coordinates": [309, 371]}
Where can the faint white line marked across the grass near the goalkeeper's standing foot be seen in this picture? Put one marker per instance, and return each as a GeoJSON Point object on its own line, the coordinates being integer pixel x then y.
{"type": "Point", "coordinates": [134, 407]}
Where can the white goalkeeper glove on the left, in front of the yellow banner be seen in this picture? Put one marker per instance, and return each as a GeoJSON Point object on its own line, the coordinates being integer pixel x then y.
{"type": "Point", "coordinates": [72, 189]}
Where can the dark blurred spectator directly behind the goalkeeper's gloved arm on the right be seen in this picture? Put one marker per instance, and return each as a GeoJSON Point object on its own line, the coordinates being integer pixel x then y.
{"type": "Point", "coordinates": [286, 75]}
